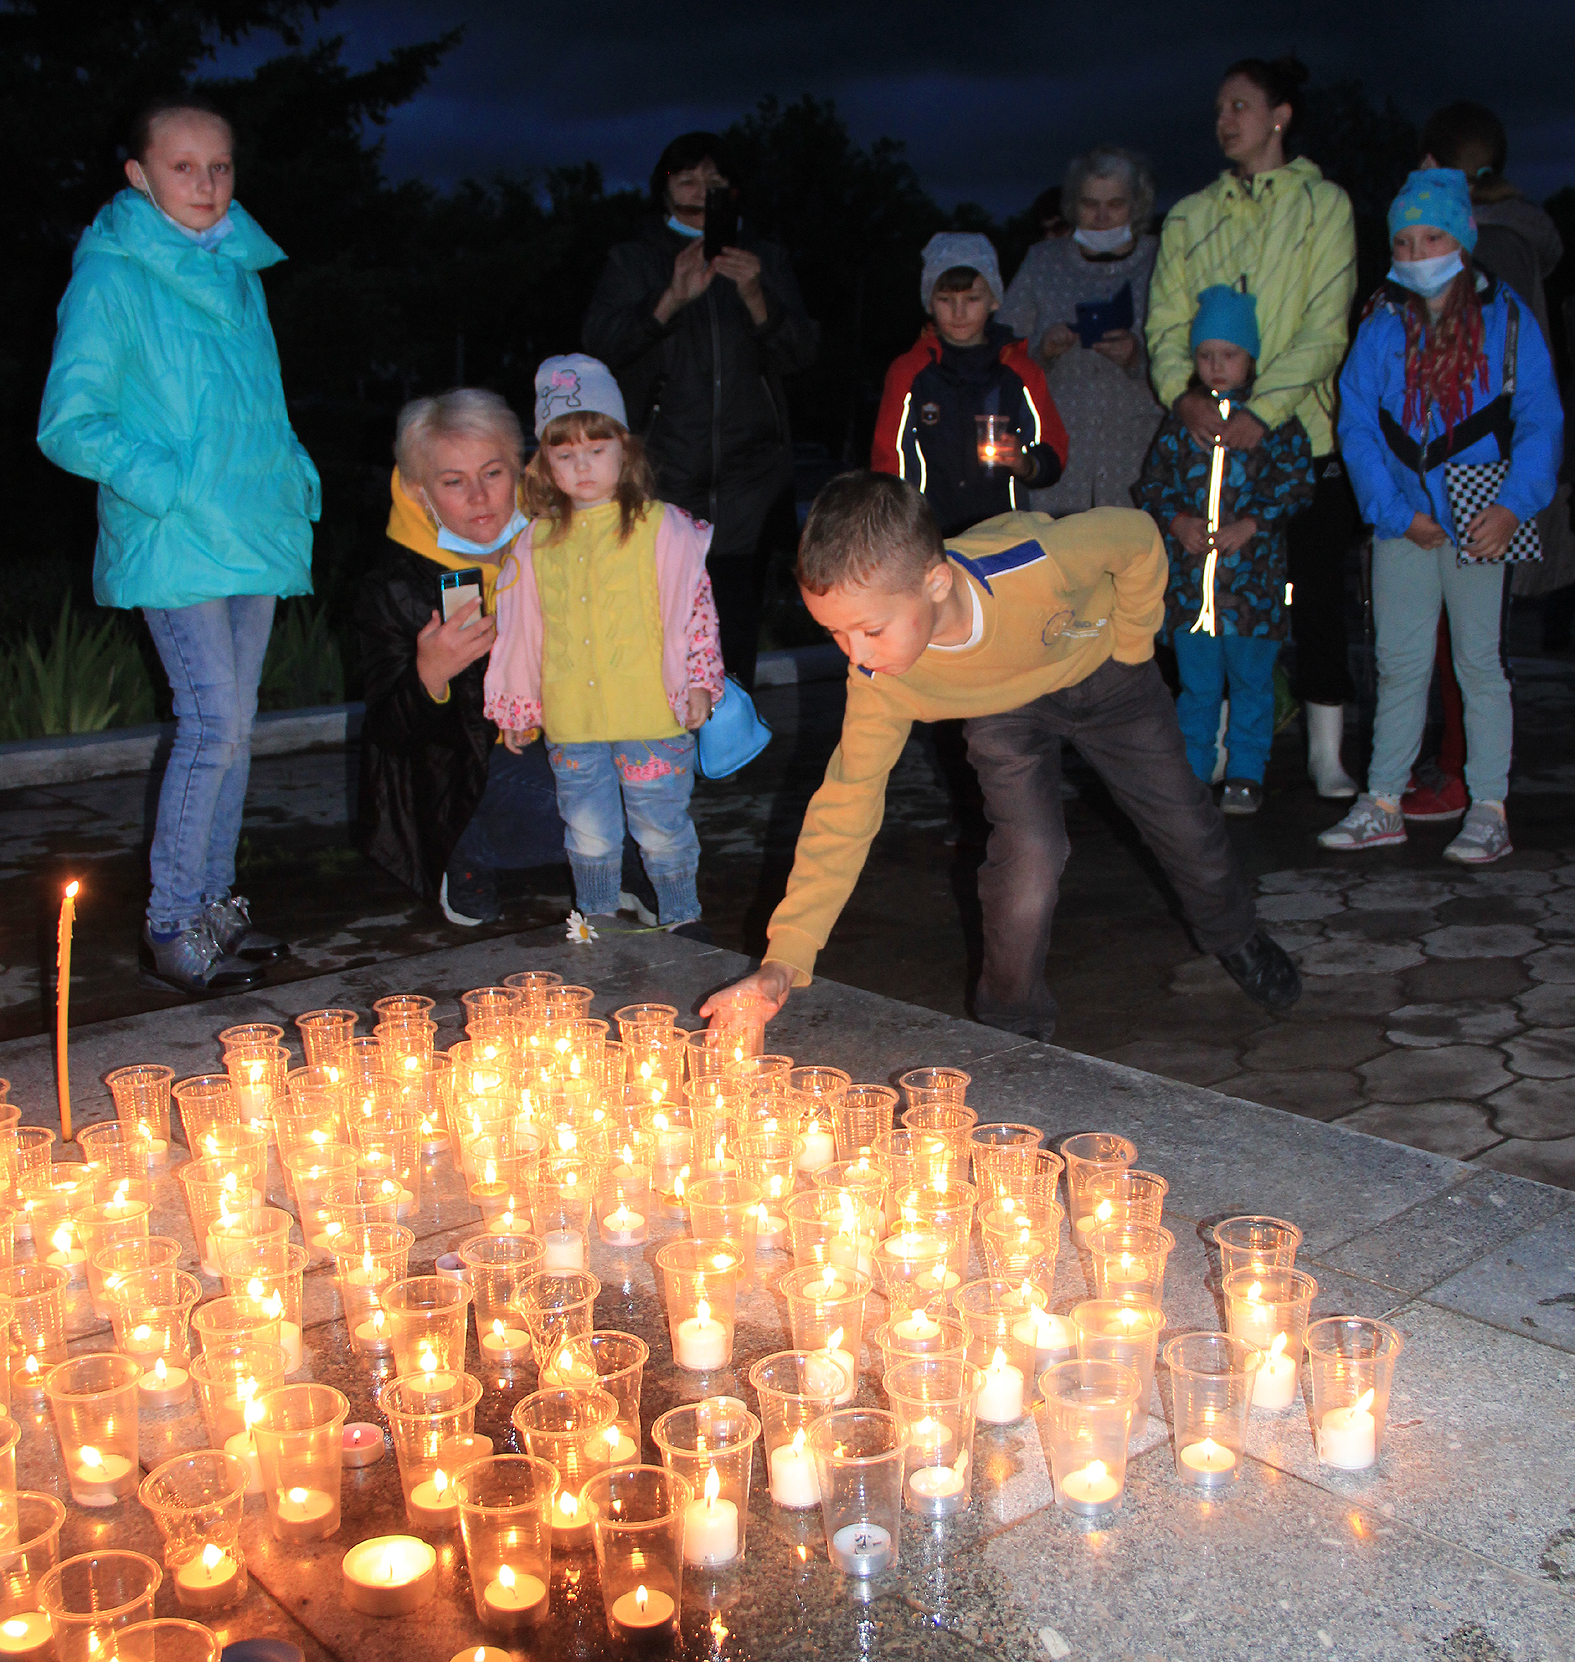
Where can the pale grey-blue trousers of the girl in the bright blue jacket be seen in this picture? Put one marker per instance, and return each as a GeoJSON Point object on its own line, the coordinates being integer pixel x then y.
{"type": "Point", "coordinates": [1410, 584]}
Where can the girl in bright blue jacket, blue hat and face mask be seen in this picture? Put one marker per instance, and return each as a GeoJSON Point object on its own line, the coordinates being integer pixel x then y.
{"type": "Point", "coordinates": [1426, 388]}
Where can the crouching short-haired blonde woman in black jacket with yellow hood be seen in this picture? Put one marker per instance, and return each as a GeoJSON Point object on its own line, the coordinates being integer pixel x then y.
{"type": "Point", "coordinates": [443, 805]}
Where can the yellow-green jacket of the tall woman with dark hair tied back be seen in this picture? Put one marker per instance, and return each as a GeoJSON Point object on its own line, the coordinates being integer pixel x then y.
{"type": "Point", "coordinates": [1288, 238]}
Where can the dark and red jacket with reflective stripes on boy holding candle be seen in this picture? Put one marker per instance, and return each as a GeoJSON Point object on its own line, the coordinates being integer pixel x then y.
{"type": "Point", "coordinates": [926, 428]}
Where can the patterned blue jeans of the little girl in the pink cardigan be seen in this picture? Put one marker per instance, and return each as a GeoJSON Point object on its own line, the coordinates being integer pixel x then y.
{"type": "Point", "coordinates": [650, 780]}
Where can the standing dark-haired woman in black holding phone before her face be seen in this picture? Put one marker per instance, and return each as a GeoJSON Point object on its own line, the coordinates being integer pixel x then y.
{"type": "Point", "coordinates": [700, 347]}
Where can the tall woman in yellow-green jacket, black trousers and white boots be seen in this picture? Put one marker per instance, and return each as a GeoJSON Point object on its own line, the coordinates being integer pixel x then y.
{"type": "Point", "coordinates": [1285, 234]}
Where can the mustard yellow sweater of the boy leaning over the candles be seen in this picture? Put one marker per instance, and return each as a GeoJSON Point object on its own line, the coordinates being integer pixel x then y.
{"type": "Point", "coordinates": [1059, 599]}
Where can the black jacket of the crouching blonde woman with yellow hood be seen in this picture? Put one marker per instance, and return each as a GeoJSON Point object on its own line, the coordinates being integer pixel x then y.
{"type": "Point", "coordinates": [423, 765]}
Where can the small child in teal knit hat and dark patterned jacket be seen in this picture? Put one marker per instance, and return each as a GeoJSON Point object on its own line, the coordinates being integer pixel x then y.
{"type": "Point", "coordinates": [1227, 606]}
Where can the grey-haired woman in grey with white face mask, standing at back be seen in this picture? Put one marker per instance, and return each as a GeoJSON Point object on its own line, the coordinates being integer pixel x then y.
{"type": "Point", "coordinates": [1081, 303]}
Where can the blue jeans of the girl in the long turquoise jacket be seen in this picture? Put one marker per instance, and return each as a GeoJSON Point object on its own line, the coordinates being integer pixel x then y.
{"type": "Point", "coordinates": [213, 656]}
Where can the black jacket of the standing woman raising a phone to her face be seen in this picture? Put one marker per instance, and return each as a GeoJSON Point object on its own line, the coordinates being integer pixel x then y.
{"type": "Point", "coordinates": [705, 391]}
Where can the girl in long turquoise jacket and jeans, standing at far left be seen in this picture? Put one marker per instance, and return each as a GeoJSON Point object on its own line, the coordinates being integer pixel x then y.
{"type": "Point", "coordinates": [165, 388]}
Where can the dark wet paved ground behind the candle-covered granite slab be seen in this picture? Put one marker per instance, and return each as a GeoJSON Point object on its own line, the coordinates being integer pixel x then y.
{"type": "Point", "coordinates": [1440, 1005]}
